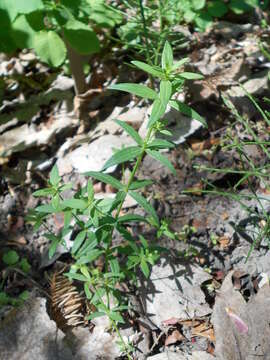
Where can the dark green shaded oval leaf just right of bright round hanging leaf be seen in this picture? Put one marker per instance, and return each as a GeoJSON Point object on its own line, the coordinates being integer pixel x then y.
{"type": "Point", "coordinates": [81, 37]}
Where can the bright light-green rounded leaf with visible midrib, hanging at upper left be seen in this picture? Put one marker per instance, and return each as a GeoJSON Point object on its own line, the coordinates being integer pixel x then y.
{"type": "Point", "coordinates": [50, 47]}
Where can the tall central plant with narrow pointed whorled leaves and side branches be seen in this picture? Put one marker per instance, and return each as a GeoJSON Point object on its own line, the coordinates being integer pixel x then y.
{"type": "Point", "coordinates": [97, 220]}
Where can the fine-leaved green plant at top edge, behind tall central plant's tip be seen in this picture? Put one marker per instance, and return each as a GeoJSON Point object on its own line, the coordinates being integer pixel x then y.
{"type": "Point", "coordinates": [148, 25]}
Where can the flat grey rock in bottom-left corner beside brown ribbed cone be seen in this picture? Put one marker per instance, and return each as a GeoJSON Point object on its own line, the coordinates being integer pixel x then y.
{"type": "Point", "coordinates": [28, 333]}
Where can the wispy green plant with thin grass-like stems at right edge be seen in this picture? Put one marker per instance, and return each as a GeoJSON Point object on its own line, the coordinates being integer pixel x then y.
{"type": "Point", "coordinates": [250, 173]}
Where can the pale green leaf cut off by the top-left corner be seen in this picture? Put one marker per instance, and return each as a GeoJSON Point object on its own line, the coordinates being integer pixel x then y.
{"type": "Point", "coordinates": [16, 7]}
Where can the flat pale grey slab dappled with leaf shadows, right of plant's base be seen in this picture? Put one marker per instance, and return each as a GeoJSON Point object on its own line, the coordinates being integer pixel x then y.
{"type": "Point", "coordinates": [174, 291]}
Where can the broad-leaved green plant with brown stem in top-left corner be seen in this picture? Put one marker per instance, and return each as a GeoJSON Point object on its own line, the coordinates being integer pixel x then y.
{"type": "Point", "coordinates": [55, 30]}
